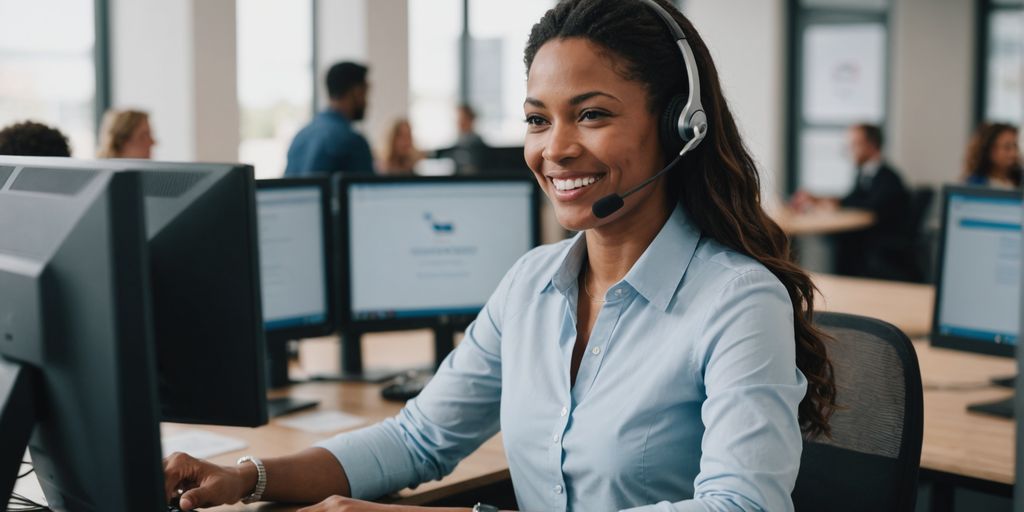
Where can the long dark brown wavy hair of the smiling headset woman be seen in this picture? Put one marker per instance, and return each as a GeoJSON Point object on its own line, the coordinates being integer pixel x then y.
{"type": "Point", "coordinates": [719, 188]}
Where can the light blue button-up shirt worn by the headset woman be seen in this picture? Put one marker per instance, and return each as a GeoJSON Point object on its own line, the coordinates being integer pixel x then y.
{"type": "Point", "coordinates": [687, 398]}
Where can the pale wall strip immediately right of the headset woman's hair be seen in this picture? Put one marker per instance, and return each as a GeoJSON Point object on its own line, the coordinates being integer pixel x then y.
{"type": "Point", "coordinates": [748, 44]}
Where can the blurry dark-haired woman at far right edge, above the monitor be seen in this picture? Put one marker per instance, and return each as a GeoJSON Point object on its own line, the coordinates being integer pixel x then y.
{"type": "Point", "coordinates": [994, 157]}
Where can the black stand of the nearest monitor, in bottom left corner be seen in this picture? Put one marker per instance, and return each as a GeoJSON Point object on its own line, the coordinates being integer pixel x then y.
{"type": "Point", "coordinates": [18, 418]}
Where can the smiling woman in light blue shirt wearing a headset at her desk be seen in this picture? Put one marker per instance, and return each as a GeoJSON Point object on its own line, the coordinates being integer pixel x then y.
{"type": "Point", "coordinates": [664, 359]}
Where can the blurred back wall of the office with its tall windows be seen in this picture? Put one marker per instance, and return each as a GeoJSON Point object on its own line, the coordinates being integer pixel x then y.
{"type": "Point", "coordinates": [230, 80]}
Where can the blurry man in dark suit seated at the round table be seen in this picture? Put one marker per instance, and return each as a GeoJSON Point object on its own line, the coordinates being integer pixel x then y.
{"type": "Point", "coordinates": [880, 190]}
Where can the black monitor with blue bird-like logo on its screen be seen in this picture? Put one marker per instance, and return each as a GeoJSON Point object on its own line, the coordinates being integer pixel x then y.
{"type": "Point", "coordinates": [428, 251]}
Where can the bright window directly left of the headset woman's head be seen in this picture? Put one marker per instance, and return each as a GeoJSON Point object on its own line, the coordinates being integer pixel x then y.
{"type": "Point", "coordinates": [493, 72]}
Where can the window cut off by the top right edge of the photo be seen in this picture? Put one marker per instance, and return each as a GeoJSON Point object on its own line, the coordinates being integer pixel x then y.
{"type": "Point", "coordinates": [1003, 49]}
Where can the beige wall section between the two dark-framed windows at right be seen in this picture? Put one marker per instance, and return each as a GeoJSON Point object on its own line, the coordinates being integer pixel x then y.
{"type": "Point", "coordinates": [933, 81]}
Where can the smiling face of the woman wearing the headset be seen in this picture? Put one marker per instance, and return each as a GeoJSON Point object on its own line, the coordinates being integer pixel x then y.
{"type": "Point", "coordinates": [589, 134]}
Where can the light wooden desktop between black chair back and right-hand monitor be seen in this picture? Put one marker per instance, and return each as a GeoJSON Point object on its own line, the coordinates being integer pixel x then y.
{"type": "Point", "coordinates": [906, 306]}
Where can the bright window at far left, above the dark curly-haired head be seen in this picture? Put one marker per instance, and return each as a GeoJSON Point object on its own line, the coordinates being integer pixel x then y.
{"type": "Point", "coordinates": [49, 68]}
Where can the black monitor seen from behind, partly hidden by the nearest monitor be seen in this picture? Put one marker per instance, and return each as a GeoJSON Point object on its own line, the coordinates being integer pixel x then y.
{"type": "Point", "coordinates": [204, 258]}
